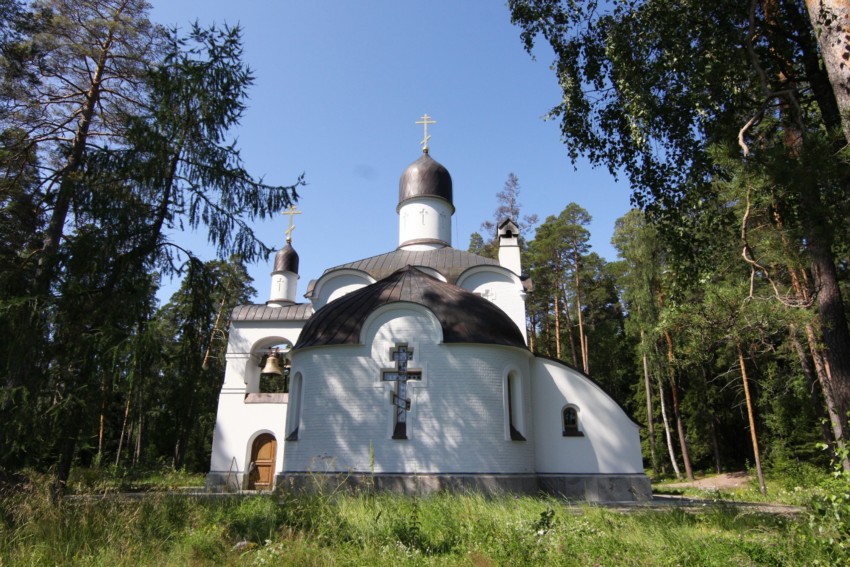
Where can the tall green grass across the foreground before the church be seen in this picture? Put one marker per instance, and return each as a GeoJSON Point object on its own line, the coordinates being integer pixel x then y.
{"type": "Point", "coordinates": [331, 528]}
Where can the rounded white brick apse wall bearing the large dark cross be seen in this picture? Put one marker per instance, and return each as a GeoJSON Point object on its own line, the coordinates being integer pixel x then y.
{"type": "Point", "coordinates": [456, 422]}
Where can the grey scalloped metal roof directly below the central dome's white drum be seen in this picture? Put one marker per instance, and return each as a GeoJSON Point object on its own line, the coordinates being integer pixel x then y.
{"type": "Point", "coordinates": [449, 262]}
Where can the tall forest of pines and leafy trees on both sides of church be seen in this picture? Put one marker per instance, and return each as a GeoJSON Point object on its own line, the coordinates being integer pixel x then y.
{"type": "Point", "coordinates": [721, 328]}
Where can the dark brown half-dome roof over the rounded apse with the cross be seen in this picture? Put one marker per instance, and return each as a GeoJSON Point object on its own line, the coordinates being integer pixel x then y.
{"type": "Point", "coordinates": [464, 316]}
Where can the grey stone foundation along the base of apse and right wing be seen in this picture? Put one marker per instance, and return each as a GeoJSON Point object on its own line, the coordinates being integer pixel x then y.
{"type": "Point", "coordinates": [589, 488]}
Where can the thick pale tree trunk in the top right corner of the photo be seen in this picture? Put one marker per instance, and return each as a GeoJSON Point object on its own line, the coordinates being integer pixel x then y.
{"type": "Point", "coordinates": [831, 22]}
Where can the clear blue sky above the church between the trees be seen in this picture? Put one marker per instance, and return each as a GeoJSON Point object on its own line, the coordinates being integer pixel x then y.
{"type": "Point", "coordinates": [339, 86]}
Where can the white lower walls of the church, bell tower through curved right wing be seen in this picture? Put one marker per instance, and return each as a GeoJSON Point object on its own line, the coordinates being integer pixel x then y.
{"type": "Point", "coordinates": [458, 419]}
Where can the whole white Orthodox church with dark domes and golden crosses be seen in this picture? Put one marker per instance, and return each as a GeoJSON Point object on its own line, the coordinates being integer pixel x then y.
{"type": "Point", "coordinates": [410, 371]}
